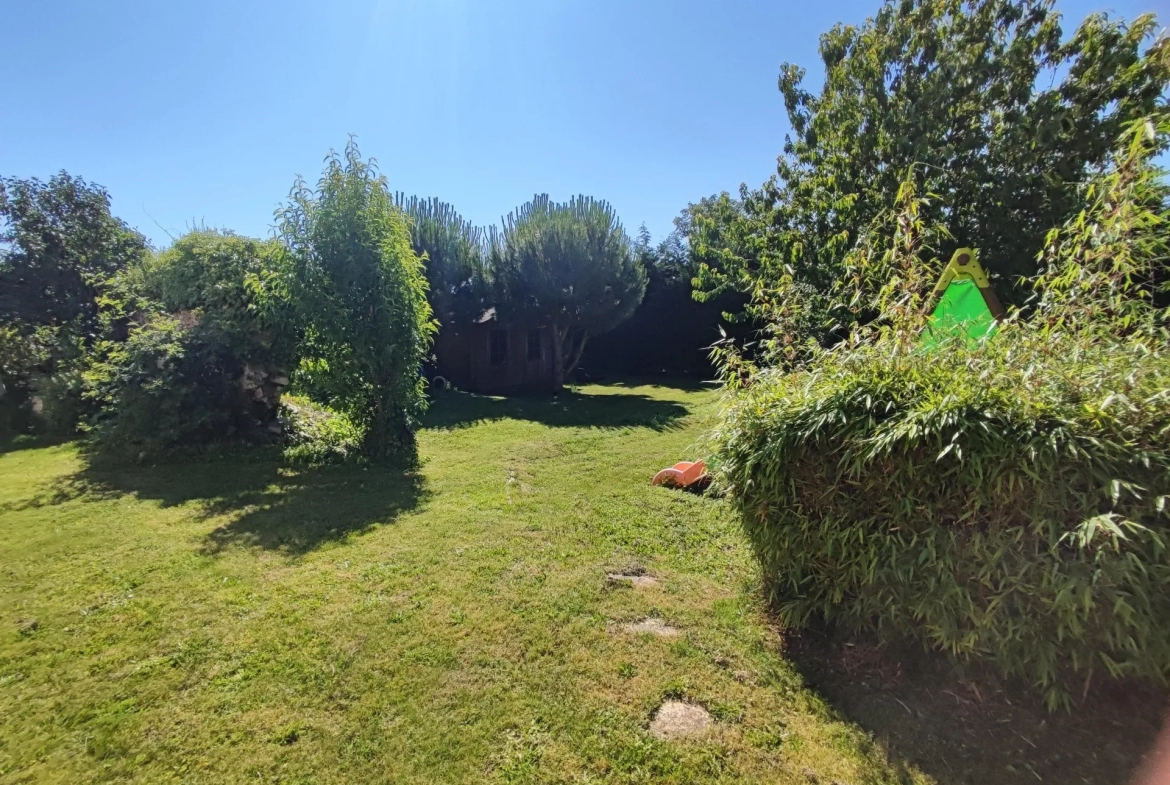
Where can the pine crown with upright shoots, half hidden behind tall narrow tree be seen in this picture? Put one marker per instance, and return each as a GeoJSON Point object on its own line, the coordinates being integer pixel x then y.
{"type": "Point", "coordinates": [455, 256]}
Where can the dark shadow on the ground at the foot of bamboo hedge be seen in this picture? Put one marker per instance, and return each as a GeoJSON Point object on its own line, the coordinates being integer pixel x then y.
{"type": "Point", "coordinates": [972, 728]}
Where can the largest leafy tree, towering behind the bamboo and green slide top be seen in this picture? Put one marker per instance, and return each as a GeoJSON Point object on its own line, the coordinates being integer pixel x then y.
{"type": "Point", "coordinates": [982, 109]}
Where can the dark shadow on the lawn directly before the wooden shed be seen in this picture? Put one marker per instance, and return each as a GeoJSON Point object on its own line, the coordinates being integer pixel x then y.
{"type": "Point", "coordinates": [458, 410]}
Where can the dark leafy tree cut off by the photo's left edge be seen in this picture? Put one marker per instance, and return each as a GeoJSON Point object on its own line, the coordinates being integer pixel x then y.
{"type": "Point", "coordinates": [59, 247]}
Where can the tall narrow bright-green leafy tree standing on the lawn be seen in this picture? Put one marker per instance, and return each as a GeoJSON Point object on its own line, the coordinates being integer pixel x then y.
{"type": "Point", "coordinates": [362, 294]}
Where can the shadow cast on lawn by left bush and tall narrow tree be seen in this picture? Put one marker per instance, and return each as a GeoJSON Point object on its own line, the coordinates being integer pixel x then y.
{"type": "Point", "coordinates": [269, 505]}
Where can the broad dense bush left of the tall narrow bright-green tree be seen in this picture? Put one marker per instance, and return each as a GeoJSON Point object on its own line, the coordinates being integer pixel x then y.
{"type": "Point", "coordinates": [203, 359]}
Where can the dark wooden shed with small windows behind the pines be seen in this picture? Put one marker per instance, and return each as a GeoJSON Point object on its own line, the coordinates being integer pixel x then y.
{"type": "Point", "coordinates": [494, 356]}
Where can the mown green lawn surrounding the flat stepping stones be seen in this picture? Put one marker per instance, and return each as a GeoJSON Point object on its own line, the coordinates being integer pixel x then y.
{"type": "Point", "coordinates": [237, 621]}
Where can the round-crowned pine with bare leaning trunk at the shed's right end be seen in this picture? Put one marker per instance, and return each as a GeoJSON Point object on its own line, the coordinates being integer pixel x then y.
{"type": "Point", "coordinates": [572, 266]}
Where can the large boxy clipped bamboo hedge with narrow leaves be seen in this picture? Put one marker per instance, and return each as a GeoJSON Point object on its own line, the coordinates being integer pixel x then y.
{"type": "Point", "coordinates": [1006, 502]}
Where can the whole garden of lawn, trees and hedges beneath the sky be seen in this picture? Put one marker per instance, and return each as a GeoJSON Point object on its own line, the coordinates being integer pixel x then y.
{"type": "Point", "coordinates": [257, 527]}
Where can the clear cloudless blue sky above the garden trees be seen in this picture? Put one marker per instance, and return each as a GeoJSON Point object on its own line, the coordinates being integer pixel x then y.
{"type": "Point", "coordinates": [205, 112]}
